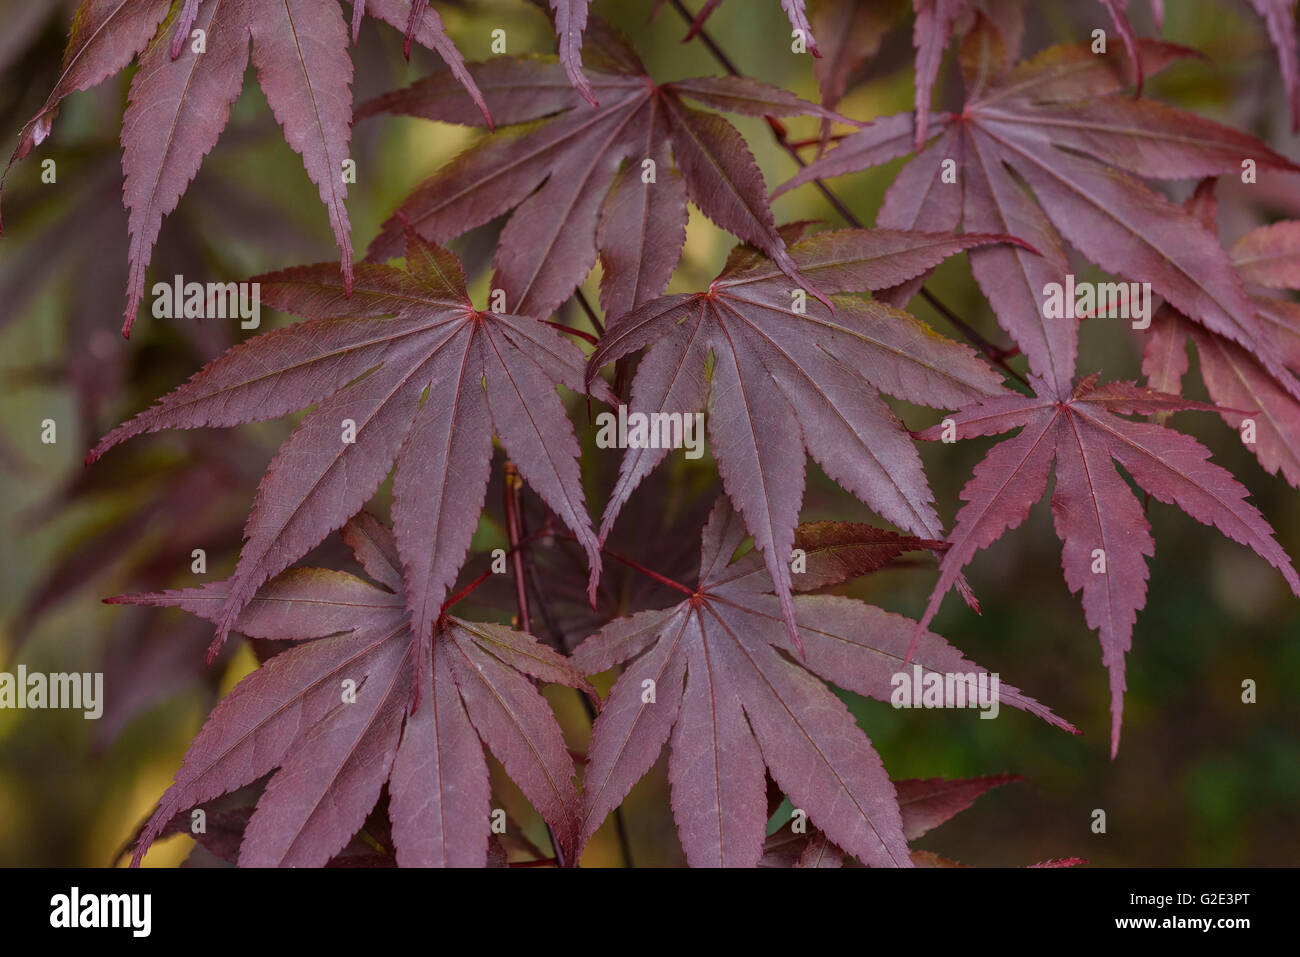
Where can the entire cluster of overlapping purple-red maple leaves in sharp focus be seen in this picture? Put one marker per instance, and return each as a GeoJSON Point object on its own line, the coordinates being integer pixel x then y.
{"type": "Point", "coordinates": [402, 369]}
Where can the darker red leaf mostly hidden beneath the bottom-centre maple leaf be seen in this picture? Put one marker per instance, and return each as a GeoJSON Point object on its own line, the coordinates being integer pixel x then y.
{"type": "Point", "coordinates": [924, 804]}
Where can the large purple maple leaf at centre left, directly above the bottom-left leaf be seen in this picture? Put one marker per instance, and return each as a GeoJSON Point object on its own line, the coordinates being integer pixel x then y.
{"type": "Point", "coordinates": [406, 370]}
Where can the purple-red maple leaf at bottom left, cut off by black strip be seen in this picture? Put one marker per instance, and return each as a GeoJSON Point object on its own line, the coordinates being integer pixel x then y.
{"type": "Point", "coordinates": [422, 737]}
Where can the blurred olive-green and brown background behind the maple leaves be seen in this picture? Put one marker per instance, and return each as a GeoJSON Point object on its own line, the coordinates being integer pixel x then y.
{"type": "Point", "coordinates": [1201, 777]}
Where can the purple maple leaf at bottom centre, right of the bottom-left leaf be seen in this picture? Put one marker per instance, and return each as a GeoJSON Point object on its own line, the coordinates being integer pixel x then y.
{"type": "Point", "coordinates": [730, 699]}
